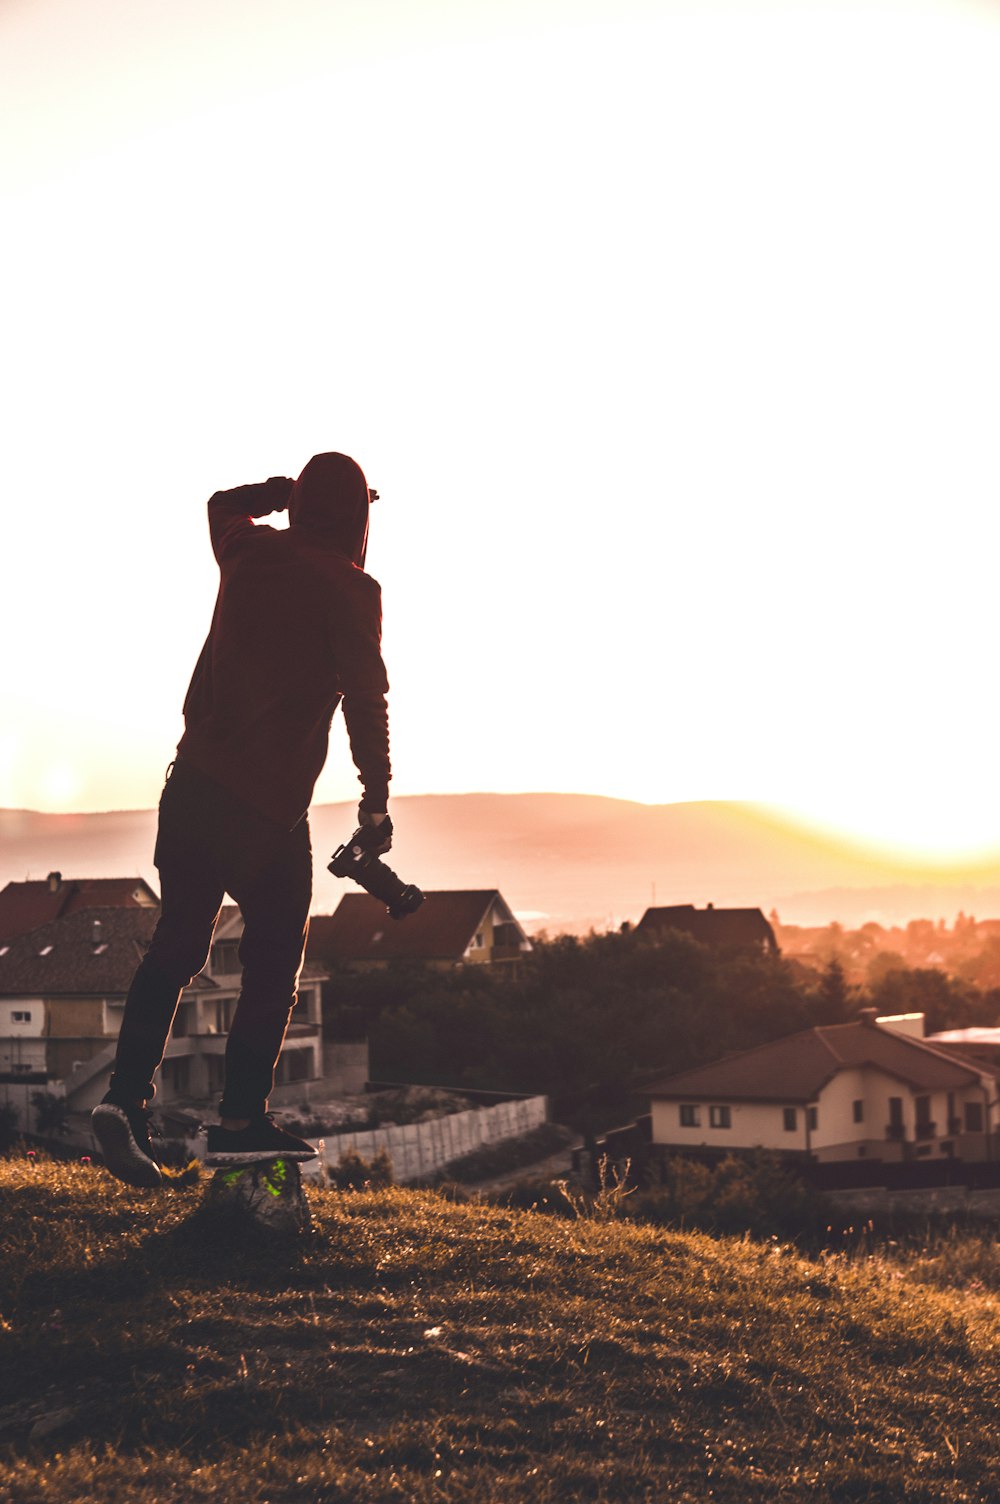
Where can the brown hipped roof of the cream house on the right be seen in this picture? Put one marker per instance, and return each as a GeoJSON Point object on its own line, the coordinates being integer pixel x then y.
{"type": "Point", "coordinates": [796, 1069]}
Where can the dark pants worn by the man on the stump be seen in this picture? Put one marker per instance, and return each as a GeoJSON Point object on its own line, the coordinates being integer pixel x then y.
{"type": "Point", "coordinates": [210, 844]}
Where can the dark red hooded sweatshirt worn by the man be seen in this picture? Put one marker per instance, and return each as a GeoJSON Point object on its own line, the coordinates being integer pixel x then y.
{"type": "Point", "coordinates": [297, 631]}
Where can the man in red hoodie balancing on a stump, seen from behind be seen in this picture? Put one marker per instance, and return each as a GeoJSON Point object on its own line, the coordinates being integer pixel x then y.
{"type": "Point", "coordinates": [297, 631]}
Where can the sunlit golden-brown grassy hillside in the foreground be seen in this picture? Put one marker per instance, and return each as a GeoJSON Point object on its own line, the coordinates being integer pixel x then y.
{"type": "Point", "coordinates": [417, 1350]}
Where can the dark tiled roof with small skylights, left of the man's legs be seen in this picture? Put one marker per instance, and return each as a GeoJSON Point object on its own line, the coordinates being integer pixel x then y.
{"type": "Point", "coordinates": [70, 956]}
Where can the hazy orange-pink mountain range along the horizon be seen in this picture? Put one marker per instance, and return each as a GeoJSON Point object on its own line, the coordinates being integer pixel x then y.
{"type": "Point", "coordinates": [566, 863]}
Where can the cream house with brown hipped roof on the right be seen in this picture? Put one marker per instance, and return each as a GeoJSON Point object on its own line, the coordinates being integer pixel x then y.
{"type": "Point", "coordinates": [870, 1090]}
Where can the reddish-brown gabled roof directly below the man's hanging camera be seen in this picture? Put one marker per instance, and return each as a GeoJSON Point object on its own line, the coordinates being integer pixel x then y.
{"type": "Point", "coordinates": [441, 929]}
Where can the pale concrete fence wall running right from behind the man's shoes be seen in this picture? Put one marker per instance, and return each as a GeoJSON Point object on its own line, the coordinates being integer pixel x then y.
{"type": "Point", "coordinates": [420, 1150]}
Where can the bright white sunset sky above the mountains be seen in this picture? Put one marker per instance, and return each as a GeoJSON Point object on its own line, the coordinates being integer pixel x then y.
{"type": "Point", "coordinates": [670, 335]}
